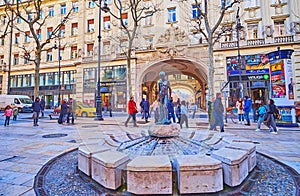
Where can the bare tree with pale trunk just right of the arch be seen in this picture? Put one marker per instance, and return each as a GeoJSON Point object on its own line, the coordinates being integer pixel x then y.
{"type": "Point", "coordinates": [211, 29]}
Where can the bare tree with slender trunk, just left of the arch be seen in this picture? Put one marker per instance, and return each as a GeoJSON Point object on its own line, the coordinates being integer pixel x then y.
{"type": "Point", "coordinates": [135, 11]}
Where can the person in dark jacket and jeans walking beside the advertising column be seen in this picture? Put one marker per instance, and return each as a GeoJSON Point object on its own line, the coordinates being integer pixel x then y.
{"type": "Point", "coordinates": [269, 118]}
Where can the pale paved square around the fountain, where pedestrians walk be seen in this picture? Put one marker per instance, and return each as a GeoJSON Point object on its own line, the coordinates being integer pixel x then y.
{"type": "Point", "coordinates": [25, 148]}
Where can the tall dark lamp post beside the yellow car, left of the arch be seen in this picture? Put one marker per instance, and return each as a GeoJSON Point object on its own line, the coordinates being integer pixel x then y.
{"type": "Point", "coordinates": [98, 97]}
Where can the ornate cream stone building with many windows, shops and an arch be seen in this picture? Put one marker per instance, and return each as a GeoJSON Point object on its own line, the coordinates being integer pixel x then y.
{"type": "Point", "coordinates": [166, 41]}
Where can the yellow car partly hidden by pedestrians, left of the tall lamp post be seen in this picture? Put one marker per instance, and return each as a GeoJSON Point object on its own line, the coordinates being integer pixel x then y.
{"type": "Point", "coordinates": [82, 110]}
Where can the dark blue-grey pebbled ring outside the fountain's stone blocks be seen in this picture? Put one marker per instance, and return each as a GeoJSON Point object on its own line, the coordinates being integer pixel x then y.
{"type": "Point", "coordinates": [61, 177]}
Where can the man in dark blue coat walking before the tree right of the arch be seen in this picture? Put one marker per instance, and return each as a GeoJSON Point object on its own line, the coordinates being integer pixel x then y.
{"type": "Point", "coordinates": [218, 113]}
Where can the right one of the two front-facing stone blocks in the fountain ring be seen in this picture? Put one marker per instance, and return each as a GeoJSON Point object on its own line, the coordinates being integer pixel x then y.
{"type": "Point", "coordinates": [199, 174]}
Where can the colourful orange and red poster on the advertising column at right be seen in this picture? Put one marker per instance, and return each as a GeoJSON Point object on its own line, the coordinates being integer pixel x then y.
{"type": "Point", "coordinates": [278, 79]}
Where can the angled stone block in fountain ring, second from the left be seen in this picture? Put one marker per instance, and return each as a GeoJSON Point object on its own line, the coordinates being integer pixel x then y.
{"type": "Point", "coordinates": [107, 168]}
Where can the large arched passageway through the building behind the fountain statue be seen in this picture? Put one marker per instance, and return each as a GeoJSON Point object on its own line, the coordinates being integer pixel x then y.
{"type": "Point", "coordinates": [188, 80]}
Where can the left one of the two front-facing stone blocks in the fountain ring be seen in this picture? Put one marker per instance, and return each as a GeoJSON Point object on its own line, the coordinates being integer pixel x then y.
{"type": "Point", "coordinates": [149, 175]}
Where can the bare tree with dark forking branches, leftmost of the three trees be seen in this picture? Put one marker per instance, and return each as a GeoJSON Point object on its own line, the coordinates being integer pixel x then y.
{"type": "Point", "coordinates": [30, 12]}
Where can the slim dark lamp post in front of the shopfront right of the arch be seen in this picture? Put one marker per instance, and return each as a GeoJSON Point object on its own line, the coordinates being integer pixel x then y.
{"type": "Point", "coordinates": [238, 28]}
